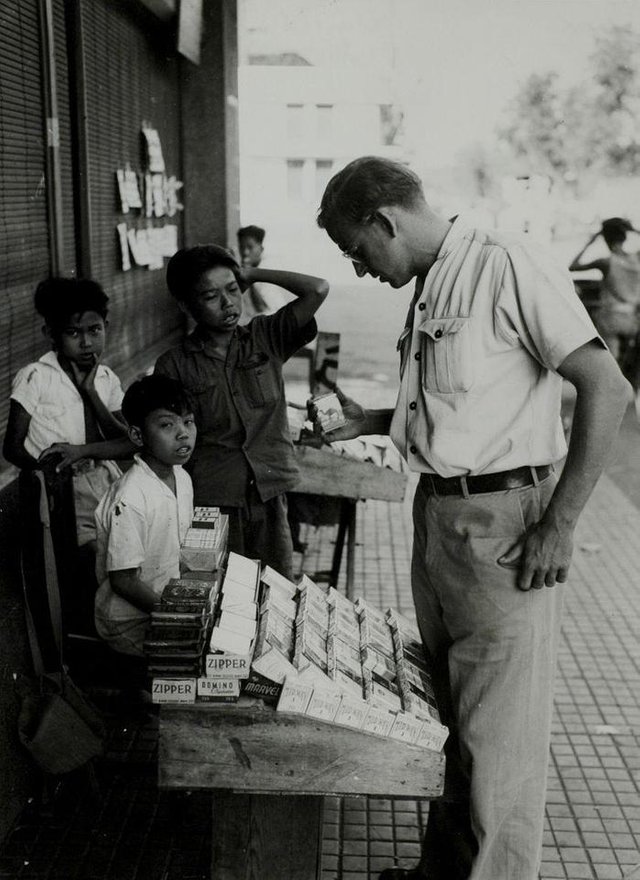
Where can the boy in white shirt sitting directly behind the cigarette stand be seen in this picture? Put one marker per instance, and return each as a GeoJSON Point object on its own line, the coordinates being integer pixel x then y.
{"type": "Point", "coordinates": [144, 516]}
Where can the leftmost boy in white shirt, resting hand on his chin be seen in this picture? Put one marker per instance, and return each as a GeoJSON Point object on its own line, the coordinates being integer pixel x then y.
{"type": "Point", "coordinates": [68, 403]}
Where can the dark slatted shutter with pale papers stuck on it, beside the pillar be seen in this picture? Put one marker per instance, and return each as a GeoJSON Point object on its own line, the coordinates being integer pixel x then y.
{"type": "Point", "coordinates": [131, 76]}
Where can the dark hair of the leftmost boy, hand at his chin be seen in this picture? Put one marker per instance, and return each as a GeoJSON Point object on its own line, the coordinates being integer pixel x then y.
{"type": "Point", "coordinates": [57, 299]}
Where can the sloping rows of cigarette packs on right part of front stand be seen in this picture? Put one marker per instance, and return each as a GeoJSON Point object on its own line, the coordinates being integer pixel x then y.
{"type": "Point", "coordinates": [344, 663]}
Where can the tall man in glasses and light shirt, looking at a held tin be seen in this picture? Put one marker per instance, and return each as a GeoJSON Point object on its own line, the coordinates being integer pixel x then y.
{"type": "Point", "coordinates": [493, 329]}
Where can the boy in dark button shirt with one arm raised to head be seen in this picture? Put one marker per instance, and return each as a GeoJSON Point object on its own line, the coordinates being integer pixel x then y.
{"type": "Point", "coordinates": [244, 461]}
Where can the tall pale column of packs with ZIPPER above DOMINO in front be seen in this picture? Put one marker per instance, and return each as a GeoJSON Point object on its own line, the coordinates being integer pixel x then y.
{"type": "Point", "coordinates": [231, 643]}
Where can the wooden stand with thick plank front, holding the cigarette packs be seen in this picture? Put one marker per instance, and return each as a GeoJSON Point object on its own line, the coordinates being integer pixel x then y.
{"type": "Point", "coordinates": [269, 772]}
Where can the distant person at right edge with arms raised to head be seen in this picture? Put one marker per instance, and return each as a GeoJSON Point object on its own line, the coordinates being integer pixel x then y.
{"type": "Point", "coordinates": [617, 316]}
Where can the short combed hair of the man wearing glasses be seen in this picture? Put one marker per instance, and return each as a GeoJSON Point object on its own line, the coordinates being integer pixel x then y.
{"type": "Point", "coordinates": [365, 185]}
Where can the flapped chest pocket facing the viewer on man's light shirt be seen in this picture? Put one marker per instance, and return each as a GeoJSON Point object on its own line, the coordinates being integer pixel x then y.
{"type": "Point", "coordinates": [446, 354]}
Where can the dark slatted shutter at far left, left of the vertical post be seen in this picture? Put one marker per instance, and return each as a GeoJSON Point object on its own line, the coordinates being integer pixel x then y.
{"type": "Point", "coordinates": [24, 239]}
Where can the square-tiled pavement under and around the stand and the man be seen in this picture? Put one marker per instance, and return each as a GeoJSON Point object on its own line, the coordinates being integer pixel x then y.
{"type": "Point", "coordinates": [134, 832]}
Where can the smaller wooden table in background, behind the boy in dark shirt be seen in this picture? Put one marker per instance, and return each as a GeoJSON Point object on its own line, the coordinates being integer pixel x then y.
{"type": "Point", "coordinates": [337, 476]}
